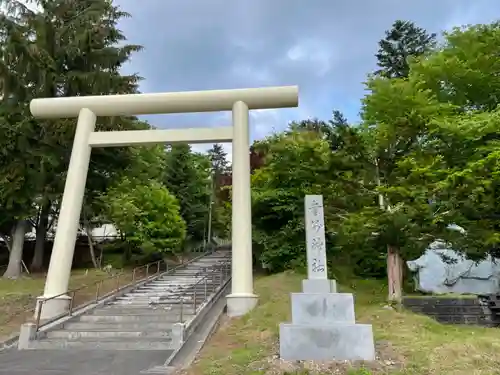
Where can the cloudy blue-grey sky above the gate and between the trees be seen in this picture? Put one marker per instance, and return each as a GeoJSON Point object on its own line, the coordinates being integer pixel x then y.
{"type": "Point", "coordinates": [326, 47]}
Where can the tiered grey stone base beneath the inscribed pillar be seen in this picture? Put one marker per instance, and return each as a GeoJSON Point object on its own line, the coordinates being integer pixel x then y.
{"type": "Point", "coordinates": [323, 327]}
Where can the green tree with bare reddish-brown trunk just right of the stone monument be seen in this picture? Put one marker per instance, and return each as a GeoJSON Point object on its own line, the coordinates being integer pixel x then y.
{"type": "Point", "coordinates": [396, 117]}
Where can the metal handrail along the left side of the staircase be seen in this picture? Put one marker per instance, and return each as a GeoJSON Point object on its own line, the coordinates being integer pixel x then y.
{"type": "Point", "coordinates": [98, 284]}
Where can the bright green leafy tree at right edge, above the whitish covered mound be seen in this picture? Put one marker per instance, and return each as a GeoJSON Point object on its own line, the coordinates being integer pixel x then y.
{"type": "Point", "coordinates": [459, 158]}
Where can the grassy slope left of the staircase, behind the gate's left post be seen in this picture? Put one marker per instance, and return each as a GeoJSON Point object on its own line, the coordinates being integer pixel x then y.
{"type": "Point", "coordinates": [18, 297]}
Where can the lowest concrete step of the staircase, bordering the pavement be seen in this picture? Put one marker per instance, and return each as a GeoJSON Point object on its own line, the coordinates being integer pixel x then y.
{"type": "Point", "coordinates": [104, 344]}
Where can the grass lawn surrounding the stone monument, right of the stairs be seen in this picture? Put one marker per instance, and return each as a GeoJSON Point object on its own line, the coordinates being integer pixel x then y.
{"type": "Point", "coordinates": [407, 343]}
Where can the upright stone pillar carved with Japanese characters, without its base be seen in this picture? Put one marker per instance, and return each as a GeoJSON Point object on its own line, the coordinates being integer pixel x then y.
{"type": "Point", "coordinates": [315, 237]}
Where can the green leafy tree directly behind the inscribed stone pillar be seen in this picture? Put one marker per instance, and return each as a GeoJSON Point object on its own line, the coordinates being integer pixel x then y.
{"type": "Point", "coordinates": [298, 163]}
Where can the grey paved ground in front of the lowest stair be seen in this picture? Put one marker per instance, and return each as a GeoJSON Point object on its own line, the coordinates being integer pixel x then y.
{"type": "Point", "coordinates": [71, 362]}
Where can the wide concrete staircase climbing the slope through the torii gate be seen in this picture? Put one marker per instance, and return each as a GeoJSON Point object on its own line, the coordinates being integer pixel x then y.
{"type": "Point", "coordinates": [152, 316]}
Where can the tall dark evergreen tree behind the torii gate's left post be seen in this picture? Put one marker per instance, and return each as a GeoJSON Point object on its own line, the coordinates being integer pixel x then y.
{"type": "Point", "coordinates": [65, 48]}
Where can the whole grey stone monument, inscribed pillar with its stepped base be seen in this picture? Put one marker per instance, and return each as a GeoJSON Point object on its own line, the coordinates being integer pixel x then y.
{"type": "Point", "coordinates": [323, 325]}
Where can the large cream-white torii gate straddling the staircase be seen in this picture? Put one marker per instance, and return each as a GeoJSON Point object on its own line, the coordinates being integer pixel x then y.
{"type": "Point", "coordinates": [87, 108]}
